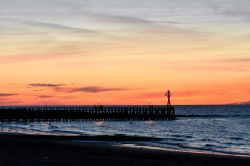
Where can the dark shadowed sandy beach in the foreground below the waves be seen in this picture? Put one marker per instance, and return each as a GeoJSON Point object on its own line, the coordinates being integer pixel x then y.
{"type": "Point", "coordinates": [59, 151]}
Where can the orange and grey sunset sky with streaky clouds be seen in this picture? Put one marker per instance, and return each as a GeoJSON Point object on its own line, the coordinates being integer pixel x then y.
{"type": "Point", "coordinates": [124, 52]}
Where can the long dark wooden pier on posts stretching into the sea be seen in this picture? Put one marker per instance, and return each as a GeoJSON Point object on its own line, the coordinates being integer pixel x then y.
{"type": "Point", "coordinates": [88, 113]}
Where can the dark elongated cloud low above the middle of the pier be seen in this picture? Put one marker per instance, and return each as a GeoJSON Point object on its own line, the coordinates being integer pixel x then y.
{"type": "Point", "coordinates": [96, 89]}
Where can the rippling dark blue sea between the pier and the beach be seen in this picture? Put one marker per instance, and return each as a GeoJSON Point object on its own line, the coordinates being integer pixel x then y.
{"type": "Point", "coordinates": [217, 129]}
